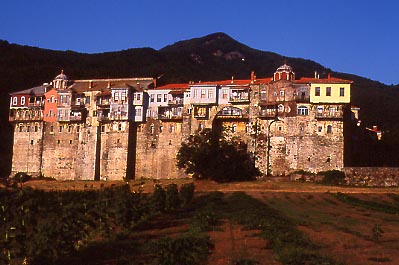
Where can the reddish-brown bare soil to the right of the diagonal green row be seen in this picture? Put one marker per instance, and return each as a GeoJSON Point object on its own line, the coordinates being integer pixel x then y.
{"type": "Point", "coordinates": [341, 230]}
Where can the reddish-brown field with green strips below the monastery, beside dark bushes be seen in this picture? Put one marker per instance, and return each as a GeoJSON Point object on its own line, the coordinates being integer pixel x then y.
{"type": "Point", "coordinates": [261, 222]}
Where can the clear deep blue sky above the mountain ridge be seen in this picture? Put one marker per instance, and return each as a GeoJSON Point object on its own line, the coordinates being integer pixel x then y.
{"type": "Point", "coordinates": [352, 36]}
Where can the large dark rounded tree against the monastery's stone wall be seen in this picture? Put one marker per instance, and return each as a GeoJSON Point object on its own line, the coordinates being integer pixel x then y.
{"type": "Point", "coordinates": [208, 154]}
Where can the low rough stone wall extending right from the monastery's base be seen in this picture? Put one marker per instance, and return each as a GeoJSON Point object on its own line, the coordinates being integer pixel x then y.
{"type": "Point", "coordinates": [372, 176]}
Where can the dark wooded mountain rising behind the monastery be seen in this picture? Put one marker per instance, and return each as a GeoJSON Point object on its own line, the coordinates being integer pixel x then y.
{"type": "Point", "coordinates": [212, 57]}
